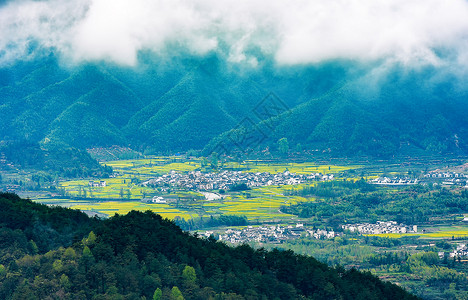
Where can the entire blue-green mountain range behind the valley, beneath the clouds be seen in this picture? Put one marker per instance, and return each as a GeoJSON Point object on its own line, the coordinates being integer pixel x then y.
{"type": "Point", "coordinates": [338, 108]}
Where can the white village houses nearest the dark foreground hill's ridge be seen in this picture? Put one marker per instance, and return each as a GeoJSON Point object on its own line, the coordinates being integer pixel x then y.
{"type": "Point", "coordinates": [272, 234]}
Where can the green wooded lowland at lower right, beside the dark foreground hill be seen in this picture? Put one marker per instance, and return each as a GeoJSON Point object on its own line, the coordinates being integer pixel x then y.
{"type": "Point", "coordinates": [423, 273]}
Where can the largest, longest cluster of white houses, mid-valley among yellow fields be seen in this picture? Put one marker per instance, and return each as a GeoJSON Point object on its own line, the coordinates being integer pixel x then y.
{"type": "Point", "coordinates": [197, 180]}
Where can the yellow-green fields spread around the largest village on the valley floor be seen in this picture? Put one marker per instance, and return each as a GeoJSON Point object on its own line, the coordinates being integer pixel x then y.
{"type": "Point", "coordinates": [124, 193]}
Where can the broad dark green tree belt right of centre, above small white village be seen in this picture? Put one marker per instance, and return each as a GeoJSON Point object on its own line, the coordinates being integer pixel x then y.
{"type": "Point", "coordinates": [409, 205]}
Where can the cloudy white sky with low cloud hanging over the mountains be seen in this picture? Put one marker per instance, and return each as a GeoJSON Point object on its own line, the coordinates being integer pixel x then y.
{"type": "Point", "coordinates": [300, 32]}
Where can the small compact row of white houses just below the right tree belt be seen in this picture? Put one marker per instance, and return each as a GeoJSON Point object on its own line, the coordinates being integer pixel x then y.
{"type": "Point", "coordinates": [380, 227]}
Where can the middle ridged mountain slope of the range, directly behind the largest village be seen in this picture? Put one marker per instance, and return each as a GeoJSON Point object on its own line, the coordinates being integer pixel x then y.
{"type": "Point", "coordinates": [203, 104]}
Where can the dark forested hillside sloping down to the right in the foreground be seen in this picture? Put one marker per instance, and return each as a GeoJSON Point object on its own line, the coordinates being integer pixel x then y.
{"type": "Point", "coordinates": [61, 253]}
